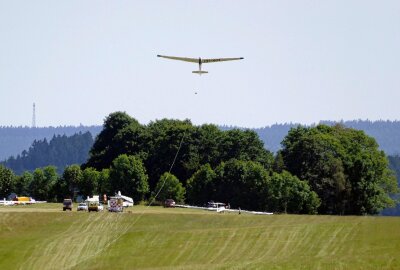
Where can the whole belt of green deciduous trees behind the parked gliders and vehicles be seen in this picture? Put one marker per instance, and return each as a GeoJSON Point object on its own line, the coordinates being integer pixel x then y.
{"type": "Point", "coordinates": [321, 169]}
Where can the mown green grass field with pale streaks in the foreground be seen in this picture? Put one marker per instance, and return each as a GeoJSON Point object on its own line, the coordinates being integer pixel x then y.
{"type": "Point", "coordinates": [45, 237]}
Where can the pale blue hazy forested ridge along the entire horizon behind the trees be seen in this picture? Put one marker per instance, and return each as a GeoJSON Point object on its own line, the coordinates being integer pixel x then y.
{"type": "Point", "coordinates": [14, 140]}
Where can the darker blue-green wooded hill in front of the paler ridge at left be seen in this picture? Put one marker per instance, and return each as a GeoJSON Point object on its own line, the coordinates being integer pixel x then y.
{"type": "Point", "coordinates": [60, 151]}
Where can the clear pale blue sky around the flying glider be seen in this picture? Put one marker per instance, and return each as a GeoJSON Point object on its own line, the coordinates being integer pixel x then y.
{"type": "Point", "coordinates": [304, 61]}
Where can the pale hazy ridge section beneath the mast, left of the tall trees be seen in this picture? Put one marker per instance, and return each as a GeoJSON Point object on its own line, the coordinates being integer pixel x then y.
{"type": "Point", "coordinates": [14, 140]}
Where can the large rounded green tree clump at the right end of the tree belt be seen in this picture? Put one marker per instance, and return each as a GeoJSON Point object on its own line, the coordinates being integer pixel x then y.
{"type": "Point", "coordinates": [343, 166]}
